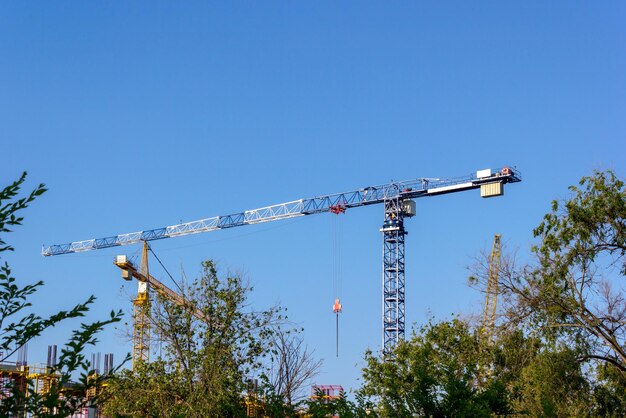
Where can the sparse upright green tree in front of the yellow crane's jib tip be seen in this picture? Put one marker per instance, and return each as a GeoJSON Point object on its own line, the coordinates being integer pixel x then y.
{"type": "Point", "coordinates": [205, 363]}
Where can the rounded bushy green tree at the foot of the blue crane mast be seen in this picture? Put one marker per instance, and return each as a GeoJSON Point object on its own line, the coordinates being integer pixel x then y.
{"type": "Point", "coordinates": [434, 374]}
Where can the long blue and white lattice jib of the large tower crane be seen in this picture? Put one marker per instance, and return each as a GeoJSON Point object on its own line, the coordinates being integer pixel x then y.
{"type": "Point", "coordinates": [409, 189]}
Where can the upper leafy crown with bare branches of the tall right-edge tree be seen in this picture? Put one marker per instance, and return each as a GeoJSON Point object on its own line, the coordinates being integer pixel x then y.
{"type": "Point", "coordinates": [582, 250]}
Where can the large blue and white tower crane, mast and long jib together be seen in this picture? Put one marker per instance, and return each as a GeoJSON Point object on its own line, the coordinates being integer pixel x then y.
{"type": "Point", "coordinates": [397, 198]}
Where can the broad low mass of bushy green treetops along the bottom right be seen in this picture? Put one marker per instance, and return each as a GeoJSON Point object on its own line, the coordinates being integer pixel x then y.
{"type": "Point", "coordinates": [445, 370]}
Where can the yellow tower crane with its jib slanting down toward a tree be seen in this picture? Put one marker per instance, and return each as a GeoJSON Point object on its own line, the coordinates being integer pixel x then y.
{"type": "Point", "coordinates": [141, 305]}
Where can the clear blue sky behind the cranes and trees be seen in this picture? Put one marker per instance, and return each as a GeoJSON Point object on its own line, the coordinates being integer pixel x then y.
{"type": "Point", "coordinates": [139, 115]}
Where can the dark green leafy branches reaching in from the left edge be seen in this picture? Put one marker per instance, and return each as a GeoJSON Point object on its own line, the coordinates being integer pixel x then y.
{"type": "Point", "coordinates": [18, 327]}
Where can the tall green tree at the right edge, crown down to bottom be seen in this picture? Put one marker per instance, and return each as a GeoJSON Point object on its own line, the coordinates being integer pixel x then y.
{"type": "Point", "coordinates": [560, 348]}
